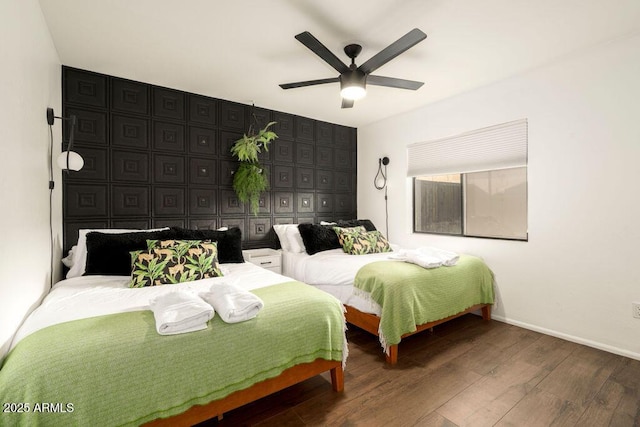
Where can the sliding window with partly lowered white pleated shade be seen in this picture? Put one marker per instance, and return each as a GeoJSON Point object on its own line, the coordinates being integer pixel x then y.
{"type": "Point", "coordinates": [474, 184]}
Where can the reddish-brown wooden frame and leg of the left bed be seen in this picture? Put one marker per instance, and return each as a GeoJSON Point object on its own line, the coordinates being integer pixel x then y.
{"type": "Point", "coordinates": [289, 377]}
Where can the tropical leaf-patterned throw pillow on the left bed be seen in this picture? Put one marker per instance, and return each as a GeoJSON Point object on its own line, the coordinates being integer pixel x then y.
{"type": "Point", "coordinates": [174, 261]}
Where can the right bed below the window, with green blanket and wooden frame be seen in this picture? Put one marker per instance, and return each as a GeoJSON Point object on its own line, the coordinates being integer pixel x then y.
{"type": "Point", "coordinates": [415, 299]}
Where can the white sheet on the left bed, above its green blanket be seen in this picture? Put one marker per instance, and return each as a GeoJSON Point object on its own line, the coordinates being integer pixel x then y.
{"type": "Point", "coordinates": [91, 296]}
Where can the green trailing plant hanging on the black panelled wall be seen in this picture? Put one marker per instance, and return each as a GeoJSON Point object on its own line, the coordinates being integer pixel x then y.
{"type": "Point", "coordinates": [250, 180]}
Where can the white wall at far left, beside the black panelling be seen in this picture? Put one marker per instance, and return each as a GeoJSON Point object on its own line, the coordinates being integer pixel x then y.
{"type": "Point", "coordinates": [29, 83]}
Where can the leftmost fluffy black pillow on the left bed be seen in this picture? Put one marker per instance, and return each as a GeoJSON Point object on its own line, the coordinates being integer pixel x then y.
{"type": "Point", "coordinates": [108, 254]}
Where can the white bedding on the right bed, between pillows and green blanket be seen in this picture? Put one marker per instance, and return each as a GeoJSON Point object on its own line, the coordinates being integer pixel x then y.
{"type": "Point", "coordinates": [333, 271]}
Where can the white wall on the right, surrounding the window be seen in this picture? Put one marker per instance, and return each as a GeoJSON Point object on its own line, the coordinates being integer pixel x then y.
{"type": "Point", "coordinates": [577, 275]}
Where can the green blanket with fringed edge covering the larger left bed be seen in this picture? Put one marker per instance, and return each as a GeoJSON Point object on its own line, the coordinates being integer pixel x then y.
{"type": "Point", "coordinates": [117, 370]}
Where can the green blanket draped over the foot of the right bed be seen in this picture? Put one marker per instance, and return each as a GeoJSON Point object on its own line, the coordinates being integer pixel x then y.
{"type": "Point", "coordinates": [411, 295]}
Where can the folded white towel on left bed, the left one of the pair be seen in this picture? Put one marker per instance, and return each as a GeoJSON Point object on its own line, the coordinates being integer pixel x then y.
{"type": "Point", "coordinates": [180, 312]}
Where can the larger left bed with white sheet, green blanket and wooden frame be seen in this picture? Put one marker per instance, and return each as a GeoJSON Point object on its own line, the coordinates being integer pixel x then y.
{"type": "Point", "coordinates": [90, 353]}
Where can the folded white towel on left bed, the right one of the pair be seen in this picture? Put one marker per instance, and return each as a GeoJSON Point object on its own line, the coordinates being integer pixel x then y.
{"type": "Point", "coordinates": [233, 303]}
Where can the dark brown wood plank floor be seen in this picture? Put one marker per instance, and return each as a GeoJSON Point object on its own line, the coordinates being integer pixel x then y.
{"type": "Point", "coordinates": [466, 373]}
